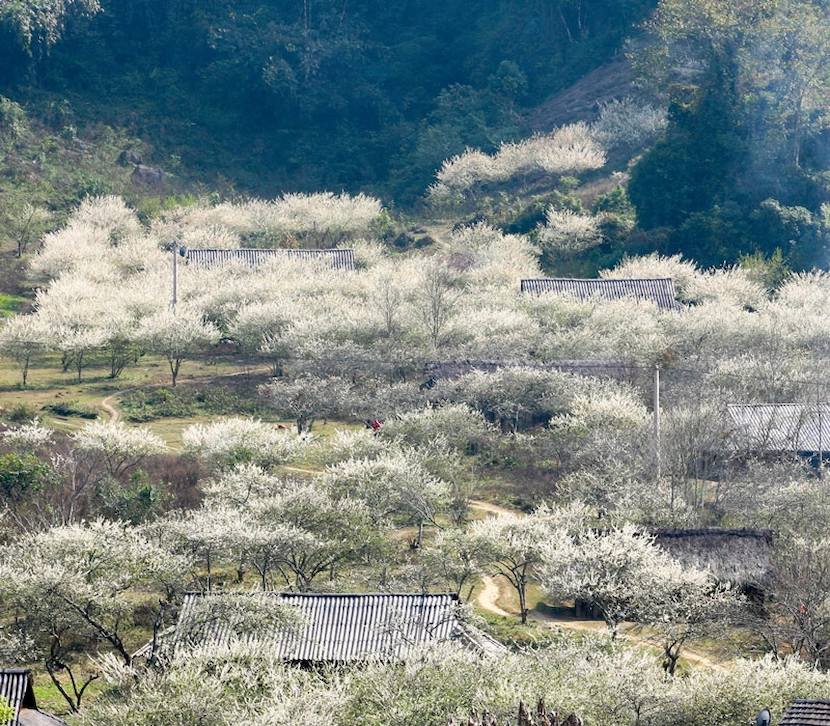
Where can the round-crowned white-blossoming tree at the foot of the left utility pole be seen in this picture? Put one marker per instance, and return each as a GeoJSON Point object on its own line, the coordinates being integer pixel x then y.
{"type": "Point", "coordinates": [177, 335]}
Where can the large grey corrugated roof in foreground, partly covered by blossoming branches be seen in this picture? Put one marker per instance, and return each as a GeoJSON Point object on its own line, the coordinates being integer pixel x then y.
{"type": "Point", "coordinates": [356, 627]}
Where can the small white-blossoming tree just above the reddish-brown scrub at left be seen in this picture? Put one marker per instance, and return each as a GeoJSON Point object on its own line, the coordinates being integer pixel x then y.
{"type": "Point", "coordinates": [116, 446]}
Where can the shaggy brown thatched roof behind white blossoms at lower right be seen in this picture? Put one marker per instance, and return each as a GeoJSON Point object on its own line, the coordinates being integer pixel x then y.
{"type": "Point", "coordinates": [739, 556]}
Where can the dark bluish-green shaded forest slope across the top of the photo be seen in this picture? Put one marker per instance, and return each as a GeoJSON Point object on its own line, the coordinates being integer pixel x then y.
{"type": "Point", "coordinates": [308, 94]}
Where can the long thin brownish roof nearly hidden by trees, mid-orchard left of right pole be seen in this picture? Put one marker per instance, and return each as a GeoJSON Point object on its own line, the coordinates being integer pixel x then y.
{"type": "Point", "coordinates": [616, 369]}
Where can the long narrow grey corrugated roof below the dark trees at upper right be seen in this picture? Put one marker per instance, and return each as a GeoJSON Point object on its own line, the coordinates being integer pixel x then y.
{"type": "Point", "coordinates": [656, 289]}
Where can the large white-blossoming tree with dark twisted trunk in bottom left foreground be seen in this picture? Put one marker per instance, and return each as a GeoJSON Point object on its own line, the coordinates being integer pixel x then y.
{"type": "Point", "coordinates": [70, 586]}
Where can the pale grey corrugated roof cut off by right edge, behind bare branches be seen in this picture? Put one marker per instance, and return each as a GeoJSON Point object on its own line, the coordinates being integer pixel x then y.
{"type": "Point", "coordinates": [781, 427]}
